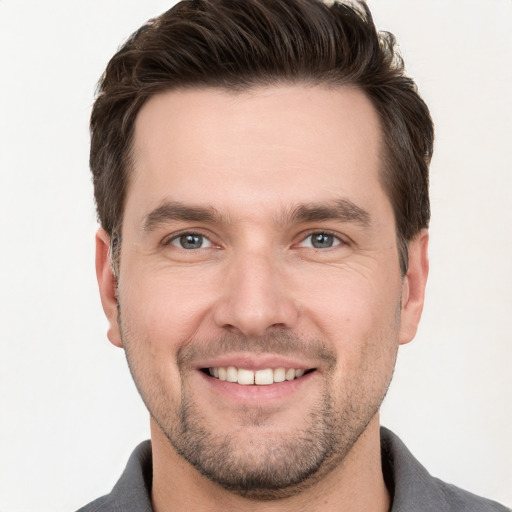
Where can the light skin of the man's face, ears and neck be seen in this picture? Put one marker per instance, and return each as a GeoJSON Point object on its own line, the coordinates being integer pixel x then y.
{"type": "Point", "coordinates": [257, 293]}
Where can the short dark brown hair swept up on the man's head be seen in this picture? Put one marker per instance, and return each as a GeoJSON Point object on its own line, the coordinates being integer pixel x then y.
{"type": "Point", "coordinates": [236, 45]}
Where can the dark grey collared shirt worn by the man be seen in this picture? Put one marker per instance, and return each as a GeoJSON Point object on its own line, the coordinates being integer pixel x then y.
{"type": "Point", "coordinates": [411, 486]}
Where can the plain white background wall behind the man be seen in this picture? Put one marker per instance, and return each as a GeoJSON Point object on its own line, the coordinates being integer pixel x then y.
{"type": "Point", "coordinates": [69, 413]}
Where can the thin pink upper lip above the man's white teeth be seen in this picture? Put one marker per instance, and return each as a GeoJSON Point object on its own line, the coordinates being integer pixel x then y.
{"type": "Point", "coordinates": [255, 362]}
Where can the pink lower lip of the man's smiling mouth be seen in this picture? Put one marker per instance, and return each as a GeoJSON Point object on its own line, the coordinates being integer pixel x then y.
{"type": "Point", "coordinates": [253, 393]}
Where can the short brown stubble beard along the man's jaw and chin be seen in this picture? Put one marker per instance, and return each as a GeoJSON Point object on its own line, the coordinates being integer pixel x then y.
{"type": "Point", "coordinates": [263, 467]}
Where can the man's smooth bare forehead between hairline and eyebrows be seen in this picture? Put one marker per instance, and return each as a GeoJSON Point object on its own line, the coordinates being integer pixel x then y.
{"type": "Point", "coordinates": [258, 148]}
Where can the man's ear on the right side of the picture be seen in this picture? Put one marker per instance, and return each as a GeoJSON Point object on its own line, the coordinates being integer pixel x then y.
{"type": "Point", "coordinates": [413, 287]}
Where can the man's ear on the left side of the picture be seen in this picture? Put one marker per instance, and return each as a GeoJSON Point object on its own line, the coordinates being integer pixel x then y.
{"type": "Point", "coordinates": [107, 286]}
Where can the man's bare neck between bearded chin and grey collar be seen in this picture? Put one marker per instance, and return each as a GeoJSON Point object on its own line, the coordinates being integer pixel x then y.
{"type": "Point", "coordinates": [355, 484]}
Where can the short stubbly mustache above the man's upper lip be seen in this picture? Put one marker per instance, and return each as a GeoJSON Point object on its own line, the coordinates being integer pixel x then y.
{"type": "Point", "coordinates": [283, 343]}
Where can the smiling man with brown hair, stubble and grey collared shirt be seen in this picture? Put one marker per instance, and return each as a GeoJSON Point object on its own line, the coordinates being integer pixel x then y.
{"type": "Point", "coordinates": [261, 178]}
